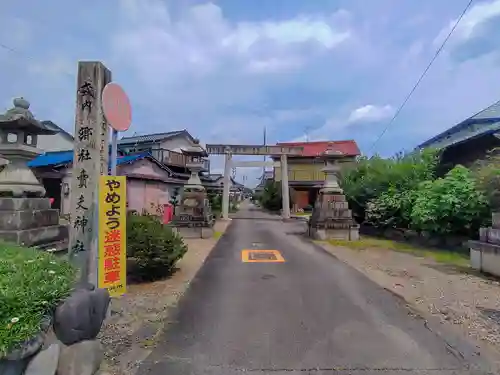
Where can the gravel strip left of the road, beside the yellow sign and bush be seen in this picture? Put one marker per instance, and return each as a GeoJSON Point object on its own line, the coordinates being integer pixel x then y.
{"type": "Point", "coordinates": [137, 318]}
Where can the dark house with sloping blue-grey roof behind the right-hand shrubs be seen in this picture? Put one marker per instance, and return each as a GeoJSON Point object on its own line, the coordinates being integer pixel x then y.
{"type": "Point", "coordinates": [468, 141]}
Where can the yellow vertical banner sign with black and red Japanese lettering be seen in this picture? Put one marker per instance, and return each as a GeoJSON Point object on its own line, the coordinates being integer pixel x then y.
{"type": "Point", "coordinates": [113, 234]}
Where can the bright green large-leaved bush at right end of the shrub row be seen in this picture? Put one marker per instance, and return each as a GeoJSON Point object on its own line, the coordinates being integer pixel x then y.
{"type": "Point", "coordinates": [450, 205]}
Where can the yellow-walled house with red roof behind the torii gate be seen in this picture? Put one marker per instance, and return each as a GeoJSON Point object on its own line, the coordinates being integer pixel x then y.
{"type": "Point", "coordinates": [305, 175]}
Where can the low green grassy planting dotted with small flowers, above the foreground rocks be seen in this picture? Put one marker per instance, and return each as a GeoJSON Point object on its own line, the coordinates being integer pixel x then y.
{"type": "Point", "coordinates": [32, 283]}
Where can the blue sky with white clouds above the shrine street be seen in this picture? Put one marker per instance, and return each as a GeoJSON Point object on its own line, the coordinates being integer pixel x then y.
{"type": "Point", "coordinates": [225, 70]}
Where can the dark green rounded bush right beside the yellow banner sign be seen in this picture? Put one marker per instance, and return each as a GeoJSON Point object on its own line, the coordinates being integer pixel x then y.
{"type": "Point", "coordinates": [152, 247]}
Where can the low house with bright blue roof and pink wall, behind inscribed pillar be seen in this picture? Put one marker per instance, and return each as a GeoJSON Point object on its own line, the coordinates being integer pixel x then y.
{"type": "Point", "coordinates": [150, 183]}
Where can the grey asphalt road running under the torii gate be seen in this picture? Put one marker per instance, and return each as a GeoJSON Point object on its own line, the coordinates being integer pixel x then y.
{"type": "Point", "coordinates": [310, 314]}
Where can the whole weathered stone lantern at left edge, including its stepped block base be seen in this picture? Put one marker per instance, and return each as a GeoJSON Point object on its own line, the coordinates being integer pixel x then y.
{"type": "Point", "coordinates": [26, 217]}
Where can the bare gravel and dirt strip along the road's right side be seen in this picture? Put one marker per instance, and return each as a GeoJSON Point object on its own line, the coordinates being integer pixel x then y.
{"type": "Point", "coordinates": [456, 295]}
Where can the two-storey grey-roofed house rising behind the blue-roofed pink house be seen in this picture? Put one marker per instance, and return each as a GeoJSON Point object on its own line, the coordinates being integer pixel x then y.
{"type": "Point", "coordinates": [166, 147]}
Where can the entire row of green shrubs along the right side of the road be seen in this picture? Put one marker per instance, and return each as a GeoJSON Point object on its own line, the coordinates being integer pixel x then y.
{"type": "Point", "coordinates": [404, 192]}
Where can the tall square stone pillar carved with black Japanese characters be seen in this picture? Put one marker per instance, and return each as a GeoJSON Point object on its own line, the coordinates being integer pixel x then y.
{"type": "Point", "coordinates": [90, 160]}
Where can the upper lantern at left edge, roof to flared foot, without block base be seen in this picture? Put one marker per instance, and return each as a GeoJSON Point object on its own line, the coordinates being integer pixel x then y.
{"type": "Point", "coordinates": [18, 139]}
